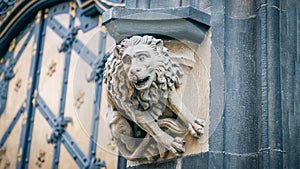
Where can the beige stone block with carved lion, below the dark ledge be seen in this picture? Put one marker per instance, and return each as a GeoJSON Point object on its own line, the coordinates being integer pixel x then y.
{"type": "Point", "coordinates": [189, 100]}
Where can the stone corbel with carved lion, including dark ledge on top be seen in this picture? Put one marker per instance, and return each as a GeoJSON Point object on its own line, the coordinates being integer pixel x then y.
{"type": "Point", "coordinates": [169, 122]}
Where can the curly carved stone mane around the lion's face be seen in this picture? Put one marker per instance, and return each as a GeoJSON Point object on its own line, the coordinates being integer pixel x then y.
{"type": "Point", "coordinates": [168, 76]}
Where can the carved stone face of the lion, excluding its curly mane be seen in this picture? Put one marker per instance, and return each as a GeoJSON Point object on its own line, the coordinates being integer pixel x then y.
{"type": "Point", "coordinates": [139, 64]}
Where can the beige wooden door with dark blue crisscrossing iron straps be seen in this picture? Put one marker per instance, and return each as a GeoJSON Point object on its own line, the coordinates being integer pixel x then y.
{"type": "Point", "coordinates": [51, 87]}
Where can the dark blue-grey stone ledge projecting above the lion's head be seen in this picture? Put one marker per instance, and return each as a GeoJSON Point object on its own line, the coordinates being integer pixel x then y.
{"type": "Point", "coordinates": [182, 23]}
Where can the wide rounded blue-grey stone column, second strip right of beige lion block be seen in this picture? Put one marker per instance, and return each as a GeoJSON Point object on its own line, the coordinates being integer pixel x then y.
{"type": "Point", "coordinates": [240, 116]}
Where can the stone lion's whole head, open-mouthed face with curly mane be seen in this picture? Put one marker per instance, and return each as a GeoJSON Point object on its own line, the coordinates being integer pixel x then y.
{"type": "Point", "coordinates": [140, 72]}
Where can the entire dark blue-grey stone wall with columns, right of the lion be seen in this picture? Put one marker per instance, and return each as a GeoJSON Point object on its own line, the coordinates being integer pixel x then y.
{"type": "Point", "coordinates": [256, 44]}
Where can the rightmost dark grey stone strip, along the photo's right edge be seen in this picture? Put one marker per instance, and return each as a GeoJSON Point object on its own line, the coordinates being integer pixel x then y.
{"type": "Point", "coordinates": [290, 93]}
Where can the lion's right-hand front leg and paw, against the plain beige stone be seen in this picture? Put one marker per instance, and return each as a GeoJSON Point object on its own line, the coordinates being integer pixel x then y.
{"type": "Point", "coordinates": [195, 125]}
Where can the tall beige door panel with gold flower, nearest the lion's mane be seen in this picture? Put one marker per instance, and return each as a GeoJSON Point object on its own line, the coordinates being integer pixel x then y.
{"type": "Point", "coordinates": [76, 130]}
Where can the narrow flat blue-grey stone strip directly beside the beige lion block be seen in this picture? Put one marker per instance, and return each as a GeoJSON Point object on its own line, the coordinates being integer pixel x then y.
{"type": "Point", "coordinates": [217, 77]}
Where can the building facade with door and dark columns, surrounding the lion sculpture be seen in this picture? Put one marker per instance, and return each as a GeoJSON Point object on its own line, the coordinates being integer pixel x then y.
{"type": "Point", "coordinates": [244, 74]}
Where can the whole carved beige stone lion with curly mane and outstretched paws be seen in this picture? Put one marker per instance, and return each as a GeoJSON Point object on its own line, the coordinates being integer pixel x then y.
{"type": "Point", "coordinates": [147, 117]}
